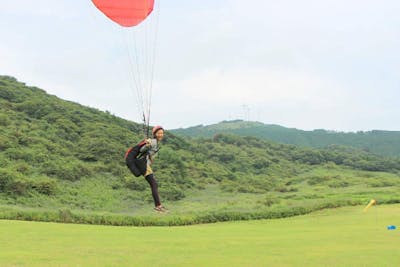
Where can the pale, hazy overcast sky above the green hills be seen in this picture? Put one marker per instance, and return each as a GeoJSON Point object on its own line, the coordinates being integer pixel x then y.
{"type": "Point", "coordinates": [310, 64]}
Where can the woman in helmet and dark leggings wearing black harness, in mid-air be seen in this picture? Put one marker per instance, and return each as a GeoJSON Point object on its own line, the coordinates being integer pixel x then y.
{"type": "Point", "coordinates": [139, 159]}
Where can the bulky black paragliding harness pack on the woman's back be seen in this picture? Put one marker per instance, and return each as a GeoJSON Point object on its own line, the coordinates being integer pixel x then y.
{"type": "Point", "coordinates": [136, 160]}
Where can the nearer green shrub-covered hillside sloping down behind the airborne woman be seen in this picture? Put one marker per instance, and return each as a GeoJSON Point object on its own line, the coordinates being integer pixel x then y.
{"type": "Point", "coordinates": [61, 161]}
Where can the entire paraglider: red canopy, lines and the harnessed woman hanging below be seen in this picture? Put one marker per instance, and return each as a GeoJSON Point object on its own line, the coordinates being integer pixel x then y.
{"type": "Point", "coordinates": [133, 17]}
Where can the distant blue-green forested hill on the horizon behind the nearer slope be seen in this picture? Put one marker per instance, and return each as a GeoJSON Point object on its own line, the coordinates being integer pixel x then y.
{"type": "Point", "coordinates": [380, 142]}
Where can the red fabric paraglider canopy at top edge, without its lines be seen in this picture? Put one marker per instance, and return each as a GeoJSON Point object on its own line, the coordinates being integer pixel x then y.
{"type": "Point", "coordinates": [126, 13]}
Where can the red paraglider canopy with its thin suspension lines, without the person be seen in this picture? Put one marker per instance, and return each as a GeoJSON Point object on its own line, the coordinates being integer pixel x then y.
{"type": "Point", "coordinates": [138, 24]}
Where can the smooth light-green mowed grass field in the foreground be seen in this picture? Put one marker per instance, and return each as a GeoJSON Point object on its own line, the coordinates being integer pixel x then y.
{"type": "Point", "coordinates": [336, 237]}
